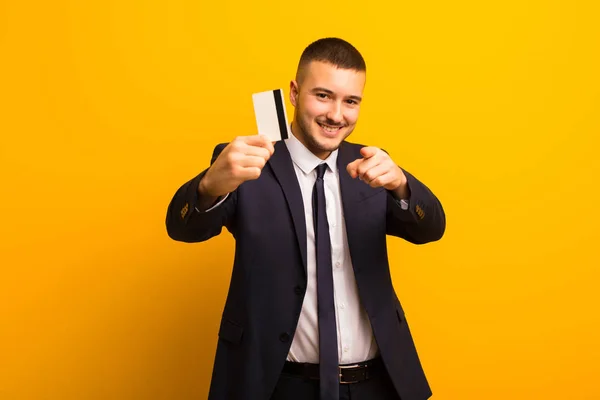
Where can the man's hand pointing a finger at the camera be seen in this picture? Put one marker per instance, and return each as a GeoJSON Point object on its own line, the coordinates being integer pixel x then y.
{"type": "Point", "coordinates": [377, 169]}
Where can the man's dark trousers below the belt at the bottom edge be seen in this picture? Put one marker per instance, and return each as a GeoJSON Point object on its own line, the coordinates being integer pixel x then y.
{"type": "Point", "coordinates": [291, 387]}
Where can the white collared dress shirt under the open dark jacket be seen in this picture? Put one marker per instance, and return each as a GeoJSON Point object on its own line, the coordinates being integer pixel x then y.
{"type": "Point", "coordinates": [355, 337]}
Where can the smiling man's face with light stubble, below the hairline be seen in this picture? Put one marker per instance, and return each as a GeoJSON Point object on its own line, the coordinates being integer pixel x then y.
{"type": "Point", "coordinates": [327, 101]}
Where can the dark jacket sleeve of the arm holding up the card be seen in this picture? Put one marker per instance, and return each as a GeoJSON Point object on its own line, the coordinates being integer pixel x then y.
{"type": "Point", "coordinates": [185, 223]}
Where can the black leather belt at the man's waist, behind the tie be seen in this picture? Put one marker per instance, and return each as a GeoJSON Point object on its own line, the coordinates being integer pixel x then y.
{"type": "Point", "coordinates": [351, 373]}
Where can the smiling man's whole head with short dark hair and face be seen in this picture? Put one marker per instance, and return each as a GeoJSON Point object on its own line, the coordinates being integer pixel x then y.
{"type": "Point", "coordinates": [326, 94]}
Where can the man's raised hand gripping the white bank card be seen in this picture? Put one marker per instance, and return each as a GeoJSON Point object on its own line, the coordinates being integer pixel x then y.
{"type": "Point", "coordinates": [241, 160]}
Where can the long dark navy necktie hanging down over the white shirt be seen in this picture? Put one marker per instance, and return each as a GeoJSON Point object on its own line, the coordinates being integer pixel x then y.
{"type": "Point", "coordinates": [328, 351]}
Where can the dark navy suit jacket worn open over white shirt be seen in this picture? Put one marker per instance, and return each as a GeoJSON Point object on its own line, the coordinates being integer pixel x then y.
{"type": "Point", "coordinates": [268, 283]}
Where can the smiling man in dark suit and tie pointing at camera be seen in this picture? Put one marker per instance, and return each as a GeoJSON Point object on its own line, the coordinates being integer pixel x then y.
{"type": "Point", "coordinates": [311, 312]}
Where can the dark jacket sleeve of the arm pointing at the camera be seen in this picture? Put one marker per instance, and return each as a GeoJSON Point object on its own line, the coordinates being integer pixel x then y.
{"type": "Point", "coordinates": [424, 221]}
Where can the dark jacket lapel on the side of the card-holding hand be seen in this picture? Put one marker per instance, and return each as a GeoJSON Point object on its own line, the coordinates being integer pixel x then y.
{"type": "Point", "coordinates": [283, 168]}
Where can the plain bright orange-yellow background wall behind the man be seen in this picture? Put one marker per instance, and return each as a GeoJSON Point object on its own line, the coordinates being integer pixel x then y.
{"type": "Point", "coordinates": [107, 107]}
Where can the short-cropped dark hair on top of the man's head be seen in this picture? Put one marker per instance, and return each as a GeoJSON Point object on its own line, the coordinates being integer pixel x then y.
{"type": "Point", "coordinates": [335, 51]}
